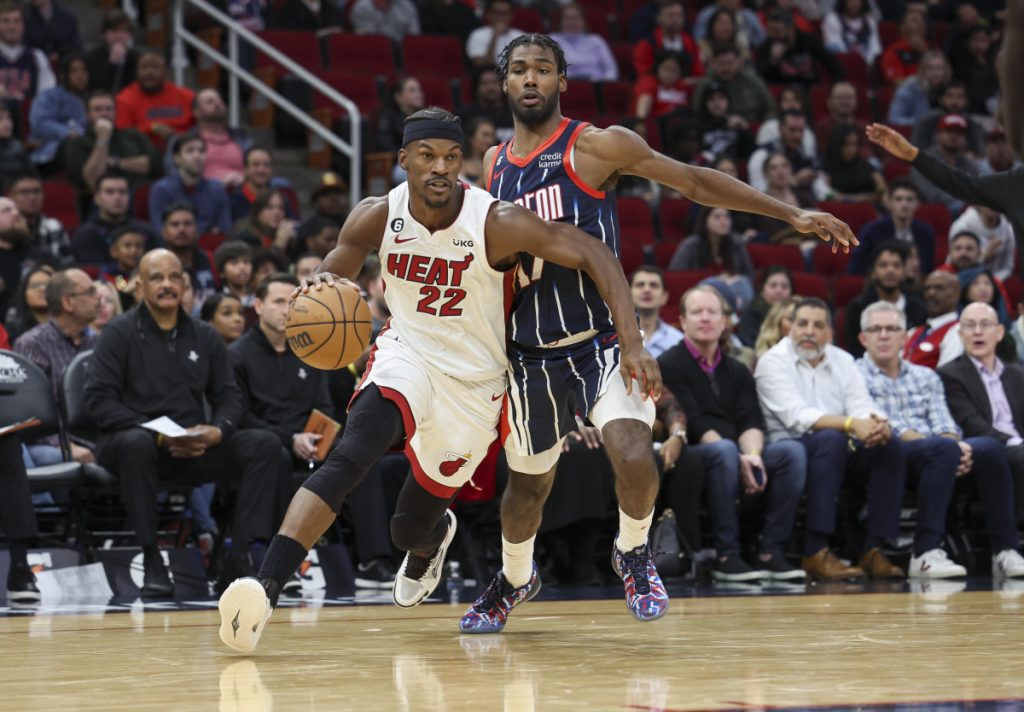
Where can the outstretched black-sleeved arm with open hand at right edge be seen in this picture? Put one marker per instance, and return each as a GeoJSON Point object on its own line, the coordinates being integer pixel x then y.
{"type": "Point", "coordinates": [1001, 192]}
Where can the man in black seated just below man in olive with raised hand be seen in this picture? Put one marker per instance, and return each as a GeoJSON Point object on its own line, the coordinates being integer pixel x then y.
{"type": "Point", "coordinates": [95, 237]}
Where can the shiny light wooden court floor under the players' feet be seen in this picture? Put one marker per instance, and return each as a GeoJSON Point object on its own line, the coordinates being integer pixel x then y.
{"type": "Point", "coordinates": [708, 654]}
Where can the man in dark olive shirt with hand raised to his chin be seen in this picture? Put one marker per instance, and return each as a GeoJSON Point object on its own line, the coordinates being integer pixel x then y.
{"type": "Point", "coordinates": [105, 148]}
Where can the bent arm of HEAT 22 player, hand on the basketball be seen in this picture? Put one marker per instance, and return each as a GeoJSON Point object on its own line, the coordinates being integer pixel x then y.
{"type": "Point", "coordinates": [361, 235]}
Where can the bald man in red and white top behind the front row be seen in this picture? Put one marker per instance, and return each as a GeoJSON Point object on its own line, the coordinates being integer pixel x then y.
{"type": "Point", "coordinates": [936, 343]}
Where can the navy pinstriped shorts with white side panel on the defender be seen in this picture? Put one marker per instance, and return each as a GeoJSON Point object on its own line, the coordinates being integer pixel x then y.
{"type": "Point", "coordinates": [549, 386]}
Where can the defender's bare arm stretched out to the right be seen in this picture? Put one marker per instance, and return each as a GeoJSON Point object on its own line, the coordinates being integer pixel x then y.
{"type": "Point", "coordinates": [622, 151]}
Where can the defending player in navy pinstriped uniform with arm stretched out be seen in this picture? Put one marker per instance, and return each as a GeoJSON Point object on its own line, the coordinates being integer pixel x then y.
{"type": "Point", "coordinates": [561, 333]}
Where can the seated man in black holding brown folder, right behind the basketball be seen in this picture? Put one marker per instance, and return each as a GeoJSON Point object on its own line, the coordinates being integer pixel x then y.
{"type": "Point", "coordinates": [279, 392]}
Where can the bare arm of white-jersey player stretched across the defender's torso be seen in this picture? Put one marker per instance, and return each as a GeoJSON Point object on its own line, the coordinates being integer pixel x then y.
{"type": "Point", "coordinates": [513, 230]}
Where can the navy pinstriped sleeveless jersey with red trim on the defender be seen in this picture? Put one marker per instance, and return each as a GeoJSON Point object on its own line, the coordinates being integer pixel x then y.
{"type": "Point", "coordinates": [552, 303]}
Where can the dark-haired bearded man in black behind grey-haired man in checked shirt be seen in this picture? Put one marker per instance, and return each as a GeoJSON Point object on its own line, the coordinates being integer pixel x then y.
{"type": "Point", "coordinates": [885, 284]}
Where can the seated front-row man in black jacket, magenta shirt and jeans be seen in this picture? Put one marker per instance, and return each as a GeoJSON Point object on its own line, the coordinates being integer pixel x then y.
{"type": "Point", "coordinates": [727, 428]}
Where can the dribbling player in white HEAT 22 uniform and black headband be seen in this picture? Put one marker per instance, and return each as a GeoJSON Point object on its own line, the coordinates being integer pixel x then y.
{"type": "Point", "coordinates": [437, 378]}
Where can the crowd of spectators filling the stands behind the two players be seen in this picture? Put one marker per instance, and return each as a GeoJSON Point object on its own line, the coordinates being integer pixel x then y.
{"type": "Point", "coordinates": [129, 197]}
